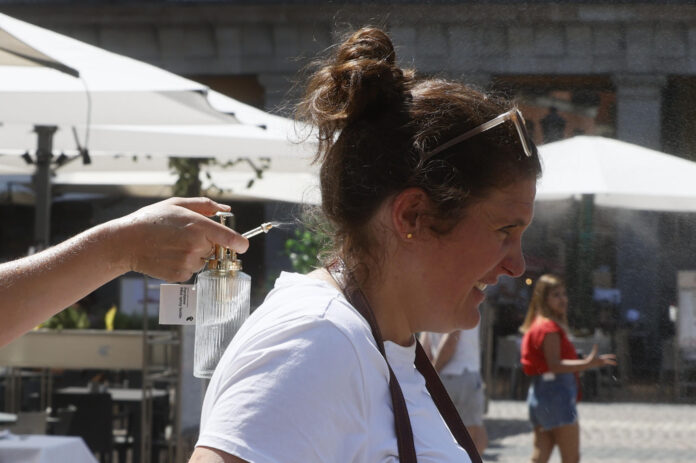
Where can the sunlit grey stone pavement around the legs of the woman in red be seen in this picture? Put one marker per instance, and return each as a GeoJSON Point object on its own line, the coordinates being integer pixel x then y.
{"type": "Point", "coordinates": [609, 433]}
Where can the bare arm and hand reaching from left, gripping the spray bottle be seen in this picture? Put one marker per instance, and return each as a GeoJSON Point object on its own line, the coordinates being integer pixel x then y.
{"type": "Point", "coordinates": [167, 240]}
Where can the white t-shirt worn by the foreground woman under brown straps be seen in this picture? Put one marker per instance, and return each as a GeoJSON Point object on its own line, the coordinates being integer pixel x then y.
{"type": "Point", "coordinates": [303, 381]}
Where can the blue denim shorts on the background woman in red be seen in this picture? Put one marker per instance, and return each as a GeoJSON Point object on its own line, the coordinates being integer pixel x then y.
{"type": "Point", "coordinates": [551, 402]}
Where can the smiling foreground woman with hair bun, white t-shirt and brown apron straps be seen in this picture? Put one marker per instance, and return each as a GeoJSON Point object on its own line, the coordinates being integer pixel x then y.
{"type": "Point", "coordinates": [427, 185]}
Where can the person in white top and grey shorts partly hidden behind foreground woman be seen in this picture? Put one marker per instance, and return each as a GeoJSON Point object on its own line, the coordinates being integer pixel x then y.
{"type": "Point", "coordinates": [456, 357]}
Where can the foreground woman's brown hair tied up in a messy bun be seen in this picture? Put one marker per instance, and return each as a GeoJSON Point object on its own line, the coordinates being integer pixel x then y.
{"type": "Point", "coordinates": [377, 121]}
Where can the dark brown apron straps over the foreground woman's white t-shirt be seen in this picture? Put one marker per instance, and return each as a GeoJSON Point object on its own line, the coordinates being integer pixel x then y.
{"type": "Point", "coordinates": [402, 421]}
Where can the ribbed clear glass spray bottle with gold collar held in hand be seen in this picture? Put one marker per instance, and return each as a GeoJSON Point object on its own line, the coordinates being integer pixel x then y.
{"type": "Point", "coordinates": [222, 305]}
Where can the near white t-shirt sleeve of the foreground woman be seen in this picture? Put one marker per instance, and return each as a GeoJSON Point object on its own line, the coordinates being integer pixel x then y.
{"type": "Point", "coordinates": [295, 394]}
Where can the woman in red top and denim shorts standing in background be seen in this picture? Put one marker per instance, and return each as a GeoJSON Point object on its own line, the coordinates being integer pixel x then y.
{"type": "Point", "coordinates": [550, 359]}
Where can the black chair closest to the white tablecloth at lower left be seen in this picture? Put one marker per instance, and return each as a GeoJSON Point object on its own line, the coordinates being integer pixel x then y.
{"type": "Point", "coordinates": [92, 420]}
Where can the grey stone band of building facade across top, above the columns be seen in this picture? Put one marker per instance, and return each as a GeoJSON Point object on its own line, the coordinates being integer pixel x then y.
{"type": "Point", "coordinates": [273, 41]}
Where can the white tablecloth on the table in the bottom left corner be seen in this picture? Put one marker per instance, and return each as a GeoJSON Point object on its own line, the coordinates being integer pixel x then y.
{"type": "Point", "coordinates": [44, 449]}
